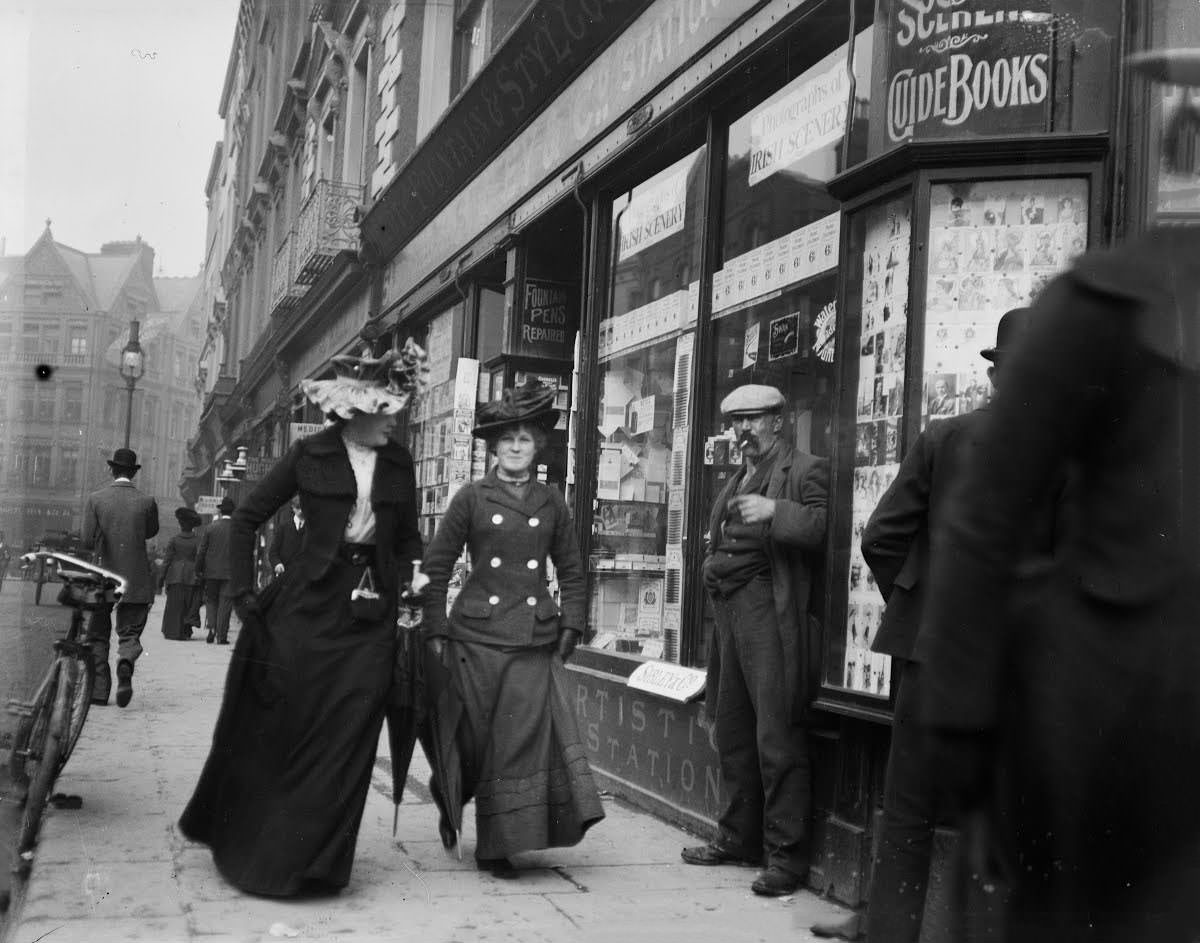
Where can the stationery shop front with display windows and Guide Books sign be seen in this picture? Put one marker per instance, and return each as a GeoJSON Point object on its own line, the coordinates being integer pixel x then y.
{"type": "Point", "coordinates": [830, 199]}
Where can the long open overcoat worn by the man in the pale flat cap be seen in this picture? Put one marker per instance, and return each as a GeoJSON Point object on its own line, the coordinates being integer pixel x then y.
{"type": "Point", "coordinates": [800, 486]}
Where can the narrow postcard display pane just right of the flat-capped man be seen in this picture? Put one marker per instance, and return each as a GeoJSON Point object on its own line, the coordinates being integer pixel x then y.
{"type": "Point", "coordinates": [880, 411]}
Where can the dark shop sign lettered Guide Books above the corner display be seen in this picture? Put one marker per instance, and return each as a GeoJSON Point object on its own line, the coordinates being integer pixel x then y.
{"type": "Point", "coordinates": [968, 67]}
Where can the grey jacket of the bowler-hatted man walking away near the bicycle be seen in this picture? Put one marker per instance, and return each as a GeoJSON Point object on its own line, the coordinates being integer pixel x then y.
{"type": "Point", "coordinates": [118, 521]}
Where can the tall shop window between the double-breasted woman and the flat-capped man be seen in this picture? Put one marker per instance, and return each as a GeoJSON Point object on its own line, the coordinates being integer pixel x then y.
{"type": "Point", "coordinates": [645, 365]}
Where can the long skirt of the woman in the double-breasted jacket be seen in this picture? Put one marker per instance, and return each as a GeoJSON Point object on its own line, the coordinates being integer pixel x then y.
{"type": "Point", "coordinates": [520, 750]}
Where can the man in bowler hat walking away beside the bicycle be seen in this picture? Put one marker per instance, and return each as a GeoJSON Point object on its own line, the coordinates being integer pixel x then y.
{"type": "Point", "coordinates": [117, 524]}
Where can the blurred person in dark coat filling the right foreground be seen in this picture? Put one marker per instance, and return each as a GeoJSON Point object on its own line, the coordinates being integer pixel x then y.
{"type": "Point", "coordinates": [1069, 699]}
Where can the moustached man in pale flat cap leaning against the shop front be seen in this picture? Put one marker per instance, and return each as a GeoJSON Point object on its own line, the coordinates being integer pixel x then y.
{"type": "Point", "coordinates": [767, 530]}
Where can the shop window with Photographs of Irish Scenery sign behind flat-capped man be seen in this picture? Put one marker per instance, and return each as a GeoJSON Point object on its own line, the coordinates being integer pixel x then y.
{"type": "Point", "coordinates": [775, 296]}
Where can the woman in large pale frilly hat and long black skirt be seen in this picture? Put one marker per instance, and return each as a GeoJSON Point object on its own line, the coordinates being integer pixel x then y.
{"type": "Point", "coordinates": [281, 797]}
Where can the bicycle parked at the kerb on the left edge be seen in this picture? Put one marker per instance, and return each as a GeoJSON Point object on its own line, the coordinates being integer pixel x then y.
{"type": "Point", "coordinates": [51, 723]}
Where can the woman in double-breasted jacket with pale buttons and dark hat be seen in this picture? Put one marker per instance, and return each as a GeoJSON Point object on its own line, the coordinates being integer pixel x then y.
{"type": "Point", "coordinates": [506, 639]}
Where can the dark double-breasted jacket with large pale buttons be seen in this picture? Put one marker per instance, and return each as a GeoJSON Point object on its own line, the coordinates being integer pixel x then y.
{"type": "Point", "coordinates": [506, 600]}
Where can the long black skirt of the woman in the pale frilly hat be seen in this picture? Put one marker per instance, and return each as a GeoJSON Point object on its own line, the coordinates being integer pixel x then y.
{"type": "Point", "coordinates": [283, 794]}
